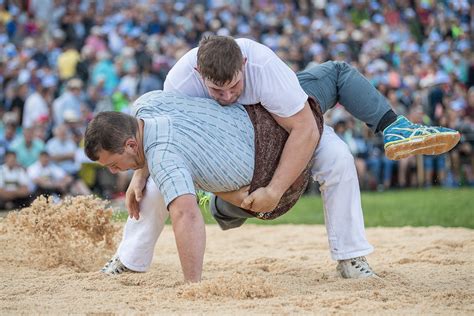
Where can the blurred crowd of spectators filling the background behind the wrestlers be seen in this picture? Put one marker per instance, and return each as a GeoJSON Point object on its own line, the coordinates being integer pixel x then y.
{"type": "Point", "coordinates": [63, 61]}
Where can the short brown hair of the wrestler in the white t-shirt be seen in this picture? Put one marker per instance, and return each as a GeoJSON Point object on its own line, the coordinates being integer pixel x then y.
{"type": "Point", "coordinates": [219, 58]}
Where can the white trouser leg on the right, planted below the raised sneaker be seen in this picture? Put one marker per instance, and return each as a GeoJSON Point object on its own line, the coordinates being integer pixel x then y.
{"type": "Point", "coordinates": [335, 171]}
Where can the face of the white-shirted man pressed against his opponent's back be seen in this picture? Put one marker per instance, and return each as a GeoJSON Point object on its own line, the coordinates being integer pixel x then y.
{"type": "Point", "coordinates": [229, 92]}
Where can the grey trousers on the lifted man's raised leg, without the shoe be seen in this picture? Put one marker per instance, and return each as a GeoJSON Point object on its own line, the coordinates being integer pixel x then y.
{"type": "Point", "coordinates": [333, 82]}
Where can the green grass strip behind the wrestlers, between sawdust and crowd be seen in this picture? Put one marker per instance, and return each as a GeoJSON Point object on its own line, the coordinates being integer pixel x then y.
{"type": "Point", "coordinates": [396, 208]}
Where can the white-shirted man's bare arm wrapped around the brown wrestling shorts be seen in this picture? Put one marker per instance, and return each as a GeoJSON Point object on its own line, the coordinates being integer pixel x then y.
{"type": "Point", "coordinates": [298, 150]}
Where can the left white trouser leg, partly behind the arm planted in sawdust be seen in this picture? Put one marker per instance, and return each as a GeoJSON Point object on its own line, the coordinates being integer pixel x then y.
{"type": "Point", "coordinates": [140, 236]}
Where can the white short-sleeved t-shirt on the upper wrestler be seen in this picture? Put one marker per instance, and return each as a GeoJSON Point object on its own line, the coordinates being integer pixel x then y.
{"type": "Point", "coordinates": [268, 80]}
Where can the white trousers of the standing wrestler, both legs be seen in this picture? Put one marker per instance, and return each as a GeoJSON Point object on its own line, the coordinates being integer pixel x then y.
{"type": "Point", "coordinates": [335, 171]}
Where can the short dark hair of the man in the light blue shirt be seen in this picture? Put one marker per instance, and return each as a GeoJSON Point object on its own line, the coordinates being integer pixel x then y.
{"type": "Point", "coordinates": [109, 131]}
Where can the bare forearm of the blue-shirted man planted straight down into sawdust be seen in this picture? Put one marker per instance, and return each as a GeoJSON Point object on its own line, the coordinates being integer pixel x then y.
{"type": "Point", "coordinates": [190, 234]}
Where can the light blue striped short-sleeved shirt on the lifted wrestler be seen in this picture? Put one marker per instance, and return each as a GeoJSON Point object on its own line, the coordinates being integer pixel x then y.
{"type": "Point", "coordinates": [194, 143]}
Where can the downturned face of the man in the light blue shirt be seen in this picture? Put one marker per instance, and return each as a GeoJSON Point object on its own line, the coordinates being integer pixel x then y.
{"type": "Point", "coordinates": [126, 160]}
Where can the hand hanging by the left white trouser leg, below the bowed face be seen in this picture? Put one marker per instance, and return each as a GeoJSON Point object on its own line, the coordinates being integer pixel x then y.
{"type": "Point", "coordinates": [135, 191]}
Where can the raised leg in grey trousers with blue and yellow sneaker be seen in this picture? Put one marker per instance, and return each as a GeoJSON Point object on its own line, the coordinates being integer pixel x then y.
{"type": "Point", "coordinates": [333, 82]}
